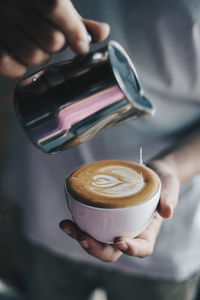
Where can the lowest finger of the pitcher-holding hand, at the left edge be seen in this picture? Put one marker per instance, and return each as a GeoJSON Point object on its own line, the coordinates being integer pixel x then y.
{"type": "Point", "coordinates": [9, 66]}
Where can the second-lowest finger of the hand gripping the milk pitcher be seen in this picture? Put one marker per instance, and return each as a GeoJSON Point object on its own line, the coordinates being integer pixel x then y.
{"type": "Point", "coordinates": [24, 49]}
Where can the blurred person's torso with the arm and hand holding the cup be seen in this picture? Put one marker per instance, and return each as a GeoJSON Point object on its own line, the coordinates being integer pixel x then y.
{"type": "Point", "coordinates": [162, 39]}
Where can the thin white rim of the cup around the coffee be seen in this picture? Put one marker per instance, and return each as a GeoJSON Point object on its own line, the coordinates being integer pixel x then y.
{"type": "Point", "coordinates": [117, 208]}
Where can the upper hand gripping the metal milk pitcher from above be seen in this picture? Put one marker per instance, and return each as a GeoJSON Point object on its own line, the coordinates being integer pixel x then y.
{"type": "Point", "coordinates": [30, 31]}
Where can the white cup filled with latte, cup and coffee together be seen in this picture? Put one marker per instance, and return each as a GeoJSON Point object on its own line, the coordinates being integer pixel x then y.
{"type": "Point", "coordinates": [111, 198]}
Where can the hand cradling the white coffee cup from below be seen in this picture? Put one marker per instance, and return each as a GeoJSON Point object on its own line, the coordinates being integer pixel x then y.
{"type": "Point", "coordinates": [143, 244]}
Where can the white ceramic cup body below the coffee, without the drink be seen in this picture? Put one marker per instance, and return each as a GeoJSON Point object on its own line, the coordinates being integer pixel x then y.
{"type": "Point", "coordinates": [105, 224]}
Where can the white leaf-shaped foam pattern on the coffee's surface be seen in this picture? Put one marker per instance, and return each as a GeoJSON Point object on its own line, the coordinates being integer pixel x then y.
{"type": "Point", "coordinates": [117, 181]}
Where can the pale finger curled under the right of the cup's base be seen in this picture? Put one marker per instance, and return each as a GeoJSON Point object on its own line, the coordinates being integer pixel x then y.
{"type": "Point", "coordinates": [142, 245]}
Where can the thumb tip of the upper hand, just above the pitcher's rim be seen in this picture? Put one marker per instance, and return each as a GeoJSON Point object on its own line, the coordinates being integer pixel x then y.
{"type": "Point", "coordinates": [99, 31]}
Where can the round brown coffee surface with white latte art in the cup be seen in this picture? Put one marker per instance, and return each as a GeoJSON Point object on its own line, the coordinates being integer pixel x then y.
{"type": "Point", "coordinates": [112, 184]}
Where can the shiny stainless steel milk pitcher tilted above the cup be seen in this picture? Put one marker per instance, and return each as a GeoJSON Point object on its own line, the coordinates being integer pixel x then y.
{"type": "Point", "coordinates": [68, 103]}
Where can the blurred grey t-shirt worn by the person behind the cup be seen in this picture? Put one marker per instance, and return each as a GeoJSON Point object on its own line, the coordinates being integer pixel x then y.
{"type": "Point", "coordinates": [163, 40]}
